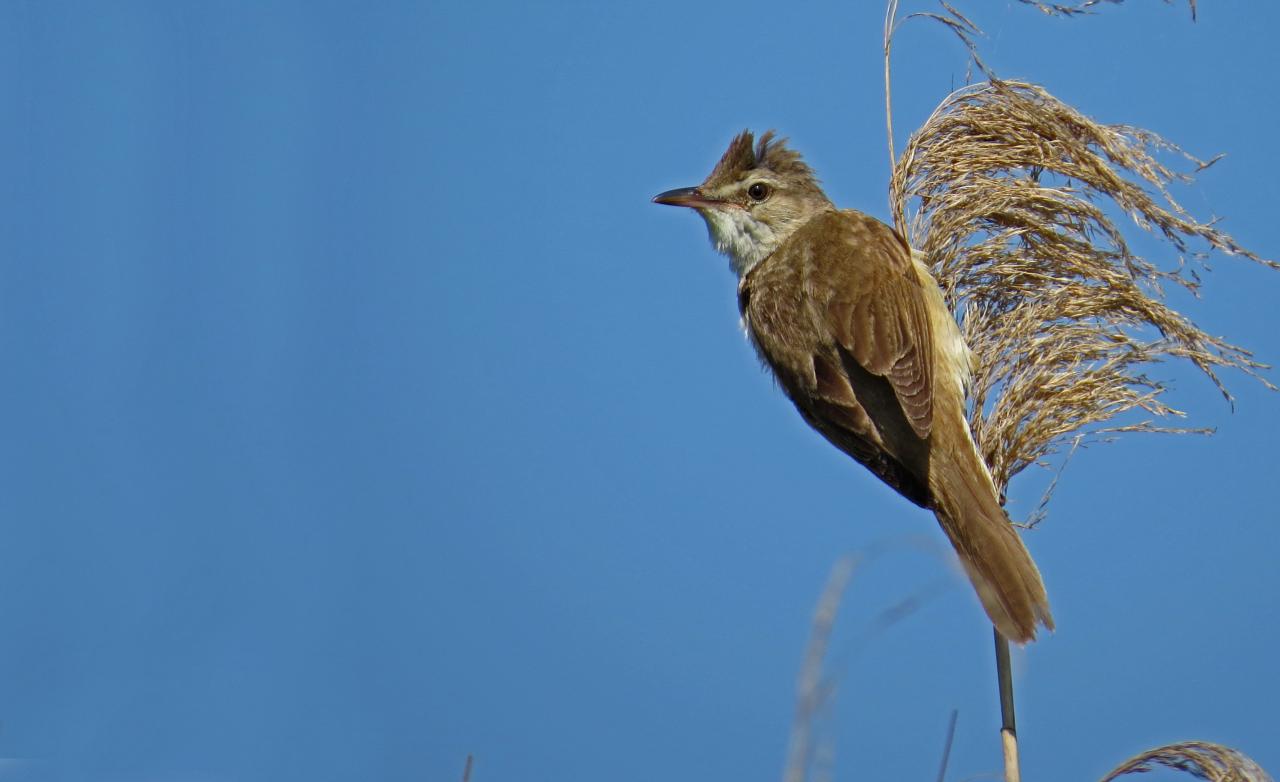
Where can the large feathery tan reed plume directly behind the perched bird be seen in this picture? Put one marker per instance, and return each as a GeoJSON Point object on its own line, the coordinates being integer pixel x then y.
{"type": "Point", "coordinates": [1007, 188]}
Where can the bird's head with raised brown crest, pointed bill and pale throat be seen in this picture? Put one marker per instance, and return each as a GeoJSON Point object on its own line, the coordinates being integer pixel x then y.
{"type": "Point", "coordinates": [755, 199]}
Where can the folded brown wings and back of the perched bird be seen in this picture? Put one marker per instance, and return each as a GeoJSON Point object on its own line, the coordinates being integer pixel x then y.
{"type": "Point", "coordinates": [839, 314]}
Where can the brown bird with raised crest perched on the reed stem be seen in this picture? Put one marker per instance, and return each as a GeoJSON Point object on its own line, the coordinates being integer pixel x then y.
{"type": "Point", "coordinates": [858, 335]}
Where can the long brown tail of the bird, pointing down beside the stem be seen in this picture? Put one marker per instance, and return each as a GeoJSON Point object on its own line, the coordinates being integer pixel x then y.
{"type": "Point", "coordinates": [990, 548]}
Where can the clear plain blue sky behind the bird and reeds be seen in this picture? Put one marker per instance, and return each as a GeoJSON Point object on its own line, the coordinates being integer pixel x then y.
{"type": "Point", "coordinates": [360, 411]}
